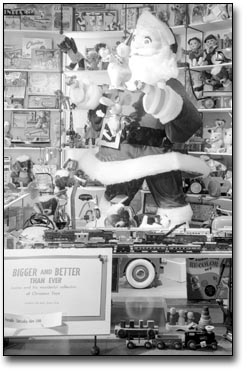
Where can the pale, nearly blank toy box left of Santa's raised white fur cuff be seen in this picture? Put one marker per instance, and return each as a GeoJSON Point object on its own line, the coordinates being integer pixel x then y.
{"type": "Point", "coordinates": [43, 83]}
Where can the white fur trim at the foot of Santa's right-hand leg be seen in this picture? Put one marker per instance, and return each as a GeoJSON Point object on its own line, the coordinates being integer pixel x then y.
{"type": "Point", "coordinates": [176, 215]}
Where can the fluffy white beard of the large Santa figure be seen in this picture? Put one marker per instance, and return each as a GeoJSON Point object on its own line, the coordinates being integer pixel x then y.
{"type": "Point", "coordinates": [155, 68]}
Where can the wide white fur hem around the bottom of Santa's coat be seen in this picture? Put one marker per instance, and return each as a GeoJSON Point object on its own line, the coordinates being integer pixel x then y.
{"type": "Point", "coordinates": [121, 171]}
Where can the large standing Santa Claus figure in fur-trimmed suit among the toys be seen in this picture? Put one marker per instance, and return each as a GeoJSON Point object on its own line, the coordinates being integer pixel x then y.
{"type": "Point", "coordinates": [161, 117]}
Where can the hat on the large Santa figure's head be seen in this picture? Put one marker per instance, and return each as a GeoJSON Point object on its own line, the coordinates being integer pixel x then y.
{"type": "Point", "coordinates": [153, 25]}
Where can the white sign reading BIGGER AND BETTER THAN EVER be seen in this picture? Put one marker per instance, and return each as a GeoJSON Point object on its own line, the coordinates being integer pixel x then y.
{"type": "Point", "coordinates": [58, 291]}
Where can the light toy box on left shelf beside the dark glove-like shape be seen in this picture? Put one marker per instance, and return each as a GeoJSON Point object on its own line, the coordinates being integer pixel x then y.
{"type": "Point", "coordinates": [45, 59]}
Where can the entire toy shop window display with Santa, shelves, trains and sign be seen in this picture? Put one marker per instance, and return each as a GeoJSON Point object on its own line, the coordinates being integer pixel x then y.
{"type": "Point", "coordinates": [128, 157]}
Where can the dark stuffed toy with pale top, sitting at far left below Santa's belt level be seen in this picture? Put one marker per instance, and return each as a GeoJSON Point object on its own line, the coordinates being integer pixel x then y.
{"type": "Point", "coordinates": [22, 174]}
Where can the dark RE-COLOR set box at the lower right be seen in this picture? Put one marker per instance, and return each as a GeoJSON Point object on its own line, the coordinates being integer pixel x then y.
{"type": "Point", "coordinates": [207, 278]}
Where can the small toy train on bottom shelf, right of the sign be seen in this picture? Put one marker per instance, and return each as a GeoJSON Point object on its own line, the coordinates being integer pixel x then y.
{"type": "Point", "coordinates": [149, 336]}
